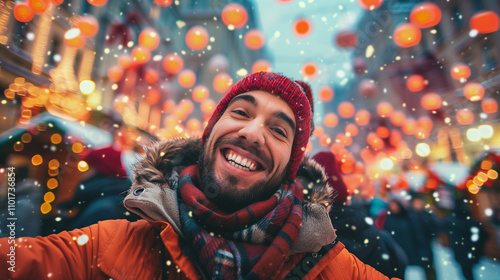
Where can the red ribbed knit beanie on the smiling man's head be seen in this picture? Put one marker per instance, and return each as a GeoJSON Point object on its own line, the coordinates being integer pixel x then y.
{"type": "Point", "coordinates": [290, 92]}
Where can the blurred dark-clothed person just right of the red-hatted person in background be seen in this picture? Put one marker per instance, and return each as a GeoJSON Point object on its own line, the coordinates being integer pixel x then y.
{"type": "Point", "coordinates": [400, 221]}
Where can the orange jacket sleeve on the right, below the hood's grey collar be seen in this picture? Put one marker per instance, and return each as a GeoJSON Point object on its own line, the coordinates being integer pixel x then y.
{"type": "Point", "coordinates": [341, 264]}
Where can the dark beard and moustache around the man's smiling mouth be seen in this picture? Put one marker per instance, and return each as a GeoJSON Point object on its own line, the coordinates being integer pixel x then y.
{"type": "Point", "coordinates": [222, 192]}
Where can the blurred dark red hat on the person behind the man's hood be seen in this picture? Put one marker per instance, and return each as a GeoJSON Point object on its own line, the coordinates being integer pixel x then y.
{"type": "Point", "coordinates": [332, 170]}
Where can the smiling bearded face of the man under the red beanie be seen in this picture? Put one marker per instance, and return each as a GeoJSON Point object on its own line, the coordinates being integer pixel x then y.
{"type": "Point", "coordinates": [246, 156]}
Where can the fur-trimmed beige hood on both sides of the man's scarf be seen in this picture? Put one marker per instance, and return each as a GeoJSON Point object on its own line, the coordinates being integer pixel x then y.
{"type": "Point", "coordinates": [153, 194]}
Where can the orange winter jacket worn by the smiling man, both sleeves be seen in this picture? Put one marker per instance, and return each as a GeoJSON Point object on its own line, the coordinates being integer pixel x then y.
{"type": "Point", "coordinates": [120, 249]}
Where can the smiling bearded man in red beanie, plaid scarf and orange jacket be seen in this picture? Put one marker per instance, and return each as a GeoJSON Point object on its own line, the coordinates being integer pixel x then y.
{"type": "Point", "coordinates": [237, 214]}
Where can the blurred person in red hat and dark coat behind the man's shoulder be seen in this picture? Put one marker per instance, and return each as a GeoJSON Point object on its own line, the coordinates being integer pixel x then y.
{"type": "Point", "coordinates": [355, 228]}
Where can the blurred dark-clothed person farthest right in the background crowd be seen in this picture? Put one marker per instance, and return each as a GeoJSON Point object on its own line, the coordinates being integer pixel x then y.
{"type": "Point", "coordinates": [466, 237]}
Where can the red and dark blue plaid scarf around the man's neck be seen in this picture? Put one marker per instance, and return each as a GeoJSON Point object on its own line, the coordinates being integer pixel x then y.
{"type": "Point", "coordinates": [251, 243]}
